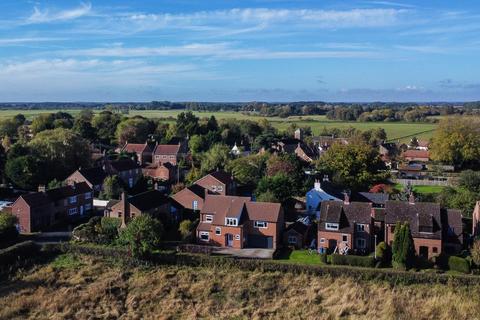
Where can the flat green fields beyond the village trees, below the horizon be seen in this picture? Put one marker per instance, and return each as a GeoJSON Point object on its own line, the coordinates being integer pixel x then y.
{"type": "Point", "coordinates": [395, 130]}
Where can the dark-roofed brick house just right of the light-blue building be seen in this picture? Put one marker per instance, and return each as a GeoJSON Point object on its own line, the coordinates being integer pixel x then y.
{"type": "Point", "coordinates": [345, 226]}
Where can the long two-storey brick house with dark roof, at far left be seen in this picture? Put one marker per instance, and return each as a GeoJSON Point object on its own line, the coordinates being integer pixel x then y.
{"type": "Point", "coordinates": [39, 210]}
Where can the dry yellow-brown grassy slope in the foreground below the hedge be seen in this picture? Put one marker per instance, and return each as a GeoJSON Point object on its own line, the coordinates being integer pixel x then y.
{"type": "Point", "coordinates": [83, 287]}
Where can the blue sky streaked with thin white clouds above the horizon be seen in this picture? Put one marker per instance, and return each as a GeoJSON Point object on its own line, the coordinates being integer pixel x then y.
{"type": "Point", "coordinates": [263, 50]}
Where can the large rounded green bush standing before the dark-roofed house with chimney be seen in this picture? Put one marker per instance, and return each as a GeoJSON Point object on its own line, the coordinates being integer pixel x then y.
{"type": "Point", "coordinates": [142, 235]}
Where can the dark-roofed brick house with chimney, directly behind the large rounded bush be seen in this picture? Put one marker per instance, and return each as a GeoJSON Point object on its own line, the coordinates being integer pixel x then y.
{"type": "Point", "coordinates": [151, 202]}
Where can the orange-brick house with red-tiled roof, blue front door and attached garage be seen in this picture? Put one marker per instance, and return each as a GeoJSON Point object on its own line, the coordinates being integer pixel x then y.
{"type": "Point", "coordinates": [237, 222]}
